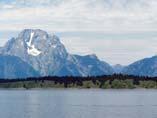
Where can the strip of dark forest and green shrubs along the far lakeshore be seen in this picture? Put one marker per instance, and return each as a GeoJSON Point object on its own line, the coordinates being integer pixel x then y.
{"type": "Point", "coordinates": [116, 81]}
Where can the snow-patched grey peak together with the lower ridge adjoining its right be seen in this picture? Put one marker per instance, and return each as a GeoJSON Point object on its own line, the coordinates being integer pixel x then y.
{"type": "Point", "coordinates": [47, 55]}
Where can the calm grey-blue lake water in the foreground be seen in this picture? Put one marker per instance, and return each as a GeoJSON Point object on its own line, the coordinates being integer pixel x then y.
{"type": "Point", "coordinates": [74, 103]}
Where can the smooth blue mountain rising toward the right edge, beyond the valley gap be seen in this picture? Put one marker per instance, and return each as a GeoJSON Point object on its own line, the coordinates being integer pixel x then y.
{"type": "Point", "coordinates": [144, 67]}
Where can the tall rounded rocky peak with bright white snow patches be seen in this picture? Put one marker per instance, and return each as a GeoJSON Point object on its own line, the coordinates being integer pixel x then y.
{"type": "Point", "coordinates": [44, 52]}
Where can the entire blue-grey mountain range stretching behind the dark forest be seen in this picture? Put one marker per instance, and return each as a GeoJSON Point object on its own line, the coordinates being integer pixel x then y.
{"type": "Point", "coordinates": [35, 53]}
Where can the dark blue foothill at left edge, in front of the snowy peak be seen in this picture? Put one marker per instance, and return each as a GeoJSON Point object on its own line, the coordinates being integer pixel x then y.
{"type": "Point", "coordinates": [14, 67]}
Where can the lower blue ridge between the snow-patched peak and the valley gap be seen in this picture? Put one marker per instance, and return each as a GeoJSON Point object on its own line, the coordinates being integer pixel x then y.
{"type": "Point", "coordinates": [88, 65]}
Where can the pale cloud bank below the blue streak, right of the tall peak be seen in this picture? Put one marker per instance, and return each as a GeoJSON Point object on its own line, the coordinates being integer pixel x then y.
{"type": "Point", "coordinates": [115, 49]}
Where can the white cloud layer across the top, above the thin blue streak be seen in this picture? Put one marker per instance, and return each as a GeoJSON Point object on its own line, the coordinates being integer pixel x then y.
{"type": "Point", "coordinates": [80, 15]}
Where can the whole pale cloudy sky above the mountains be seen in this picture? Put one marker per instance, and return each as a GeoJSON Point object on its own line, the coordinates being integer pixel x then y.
{"type": "Point", "coordinates": [117, 31]}
